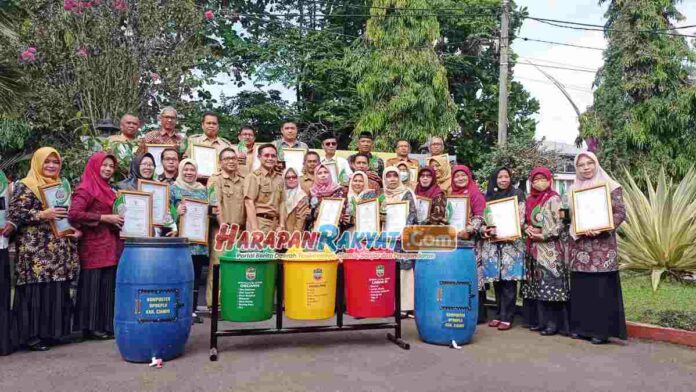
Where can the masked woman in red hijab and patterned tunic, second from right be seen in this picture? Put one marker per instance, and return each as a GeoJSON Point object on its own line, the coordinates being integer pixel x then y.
{"type": "Point", "coordinates": [545, 287]}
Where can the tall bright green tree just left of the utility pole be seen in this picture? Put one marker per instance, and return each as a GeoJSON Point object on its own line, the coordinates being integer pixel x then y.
{"type": "Point", "coordinates": [400, 80]}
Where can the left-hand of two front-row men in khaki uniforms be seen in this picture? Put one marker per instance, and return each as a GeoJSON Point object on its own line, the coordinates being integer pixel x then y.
{"type": "Point", "coordinates": [229, 189]}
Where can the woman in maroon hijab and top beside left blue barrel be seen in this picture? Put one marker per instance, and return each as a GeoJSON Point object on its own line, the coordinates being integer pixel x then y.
{"type": "Point", "coordinates": [99, 248]}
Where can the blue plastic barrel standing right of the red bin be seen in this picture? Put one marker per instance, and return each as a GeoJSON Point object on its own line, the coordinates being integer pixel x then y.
{"type": "Point", "coordinates": [446, 298]}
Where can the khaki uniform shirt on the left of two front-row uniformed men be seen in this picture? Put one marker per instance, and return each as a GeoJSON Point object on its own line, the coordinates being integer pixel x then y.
{"type": "Point", "coordinates": [230, 191]}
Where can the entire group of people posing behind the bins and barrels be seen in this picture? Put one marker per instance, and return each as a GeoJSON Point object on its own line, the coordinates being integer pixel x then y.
{"type": "Point", "coordinates": [569, 282]}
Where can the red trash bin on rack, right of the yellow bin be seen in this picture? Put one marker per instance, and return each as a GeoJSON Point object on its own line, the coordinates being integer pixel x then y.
{"type": "Point", "coordinates": [370, 283]}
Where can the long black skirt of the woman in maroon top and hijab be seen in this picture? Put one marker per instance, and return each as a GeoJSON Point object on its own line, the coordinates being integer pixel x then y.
{"type": "Point", "coordinates": [96, 291]}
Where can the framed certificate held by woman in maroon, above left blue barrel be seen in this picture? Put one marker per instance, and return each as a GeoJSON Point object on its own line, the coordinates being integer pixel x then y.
{"type": "Point", "coordinates": [136, 210]}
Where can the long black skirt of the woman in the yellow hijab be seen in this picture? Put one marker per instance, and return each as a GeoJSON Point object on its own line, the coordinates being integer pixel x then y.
{"type": "Point", "coordinates": [42, 311]}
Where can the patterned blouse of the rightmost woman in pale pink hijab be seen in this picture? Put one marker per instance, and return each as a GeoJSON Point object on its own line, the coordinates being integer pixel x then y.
{"type": "Point", "coordinates": [600, 253]}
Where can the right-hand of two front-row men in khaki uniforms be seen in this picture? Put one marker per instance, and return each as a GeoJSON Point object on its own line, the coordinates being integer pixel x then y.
{"type": "Point", "coordinates": [264, 195]}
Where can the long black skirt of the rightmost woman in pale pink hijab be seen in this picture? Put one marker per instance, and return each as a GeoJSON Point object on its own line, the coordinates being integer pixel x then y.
{"type": "Point", "coordinates": [596, 305]}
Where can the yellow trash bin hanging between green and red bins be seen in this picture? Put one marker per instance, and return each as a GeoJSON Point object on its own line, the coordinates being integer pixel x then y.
{"type": "Point", "coordinates": [310, 284]}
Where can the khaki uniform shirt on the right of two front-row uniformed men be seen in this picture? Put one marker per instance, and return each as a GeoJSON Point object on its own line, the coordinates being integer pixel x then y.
{"type": "Point", "coordinates": [266, 190]}
